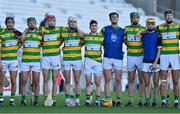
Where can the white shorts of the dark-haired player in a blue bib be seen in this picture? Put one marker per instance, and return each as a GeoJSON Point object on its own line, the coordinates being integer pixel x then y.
{"type": "Point", "coordinates": [110, 63]}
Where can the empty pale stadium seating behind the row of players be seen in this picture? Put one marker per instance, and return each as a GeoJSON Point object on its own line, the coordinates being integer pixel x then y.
{"type": "Point", "coordinates": [84, 10]}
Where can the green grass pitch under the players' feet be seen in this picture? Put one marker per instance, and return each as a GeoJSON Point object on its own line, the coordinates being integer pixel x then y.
{"type": "Point", "coordinates": [83, 109]}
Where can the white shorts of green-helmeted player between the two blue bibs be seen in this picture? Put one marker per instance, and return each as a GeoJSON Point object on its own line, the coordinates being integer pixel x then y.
{"type": "Point", "coordinates": [134, 63]}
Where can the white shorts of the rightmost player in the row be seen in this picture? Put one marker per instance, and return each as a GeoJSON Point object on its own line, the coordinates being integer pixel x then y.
{"type": "Point", "coordinates": [167, 60]}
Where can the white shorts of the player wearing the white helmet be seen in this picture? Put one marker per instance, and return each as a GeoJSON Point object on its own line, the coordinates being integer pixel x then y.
{"type": "Point", "coordinates": [76, 65]}
